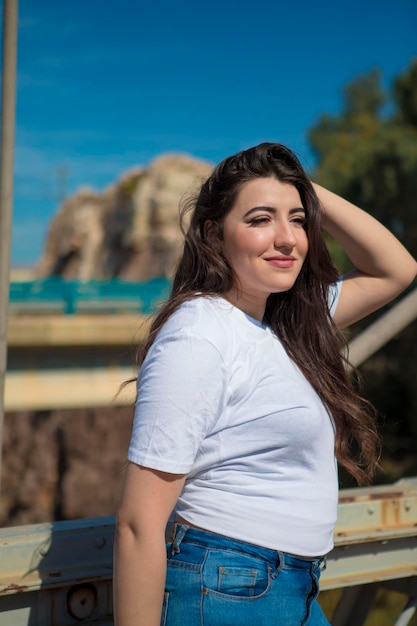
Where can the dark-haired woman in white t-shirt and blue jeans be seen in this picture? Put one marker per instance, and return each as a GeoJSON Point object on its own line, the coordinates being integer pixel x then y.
{"type": "Point", "coordinates": [244, 404]}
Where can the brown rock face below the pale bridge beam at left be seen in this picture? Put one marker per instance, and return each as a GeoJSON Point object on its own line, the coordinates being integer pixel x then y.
{"type": "Point", "coordinates": [64, 464]}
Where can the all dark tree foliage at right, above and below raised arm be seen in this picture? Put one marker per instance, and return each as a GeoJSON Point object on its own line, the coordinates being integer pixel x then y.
{"type": "Point", "coordinates": [368, 154]}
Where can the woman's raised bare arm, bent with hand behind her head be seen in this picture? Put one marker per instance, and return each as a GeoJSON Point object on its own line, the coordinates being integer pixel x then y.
{"type": "Point", "coordinates": [383, 267]}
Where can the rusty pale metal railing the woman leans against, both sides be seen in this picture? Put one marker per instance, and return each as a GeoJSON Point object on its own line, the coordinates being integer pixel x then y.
{"type": "Point", "coordinates": [61, 573]}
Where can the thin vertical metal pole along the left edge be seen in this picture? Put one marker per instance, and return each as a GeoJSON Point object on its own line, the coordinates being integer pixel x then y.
{"type": "Point", "coordinates": [6, 182]}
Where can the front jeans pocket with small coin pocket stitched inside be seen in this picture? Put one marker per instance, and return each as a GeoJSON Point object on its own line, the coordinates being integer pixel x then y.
{"type": "Point", "coordinates": [235, 575]}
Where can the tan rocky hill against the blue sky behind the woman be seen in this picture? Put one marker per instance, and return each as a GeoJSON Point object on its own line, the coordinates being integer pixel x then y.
{"type": "Point", "coordinates": [130, 231]}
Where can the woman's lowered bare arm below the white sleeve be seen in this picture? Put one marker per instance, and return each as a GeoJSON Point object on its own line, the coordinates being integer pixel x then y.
{"type": "Point", "coordinates": [148, 498]}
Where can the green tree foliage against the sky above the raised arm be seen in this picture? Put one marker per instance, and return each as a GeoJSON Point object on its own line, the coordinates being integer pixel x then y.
{"type": "Point", "coordinates": [371, 157]}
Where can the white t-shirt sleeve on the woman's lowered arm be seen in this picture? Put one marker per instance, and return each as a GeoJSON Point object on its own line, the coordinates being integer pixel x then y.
{"type": "Point", "coordinates": [181, 389]}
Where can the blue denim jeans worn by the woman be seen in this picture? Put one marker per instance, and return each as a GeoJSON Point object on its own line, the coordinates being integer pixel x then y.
{"type": "Point", "coordinates": [217, 581]}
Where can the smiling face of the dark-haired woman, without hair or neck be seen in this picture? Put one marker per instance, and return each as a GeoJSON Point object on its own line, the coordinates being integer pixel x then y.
{"type": "Point", "coordinates": [264, 238]}
